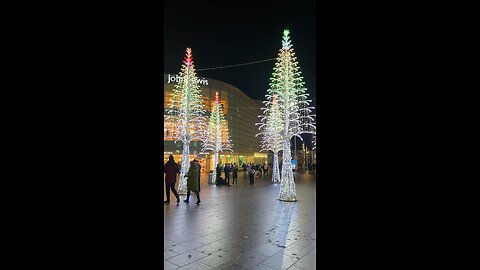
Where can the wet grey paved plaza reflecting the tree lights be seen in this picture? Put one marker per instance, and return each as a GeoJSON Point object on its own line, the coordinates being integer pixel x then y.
{"type": "Point", "coordinates": [242, 227]}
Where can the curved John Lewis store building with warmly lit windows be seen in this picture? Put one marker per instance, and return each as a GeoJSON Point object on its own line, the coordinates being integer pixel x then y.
{"type": "Point", "coordinates": [241, 113]}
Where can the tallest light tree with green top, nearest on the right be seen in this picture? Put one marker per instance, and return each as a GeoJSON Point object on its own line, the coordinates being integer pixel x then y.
{"type": "Point", "coordinates": [288, 87]}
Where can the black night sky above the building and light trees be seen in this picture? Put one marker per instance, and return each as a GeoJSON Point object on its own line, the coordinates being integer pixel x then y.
{"type": "Point", "coordinates": [233, 32]}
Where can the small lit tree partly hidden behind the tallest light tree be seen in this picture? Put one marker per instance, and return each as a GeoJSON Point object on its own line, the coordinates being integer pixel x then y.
{"type": "Point", "coordinates": [270, 132]}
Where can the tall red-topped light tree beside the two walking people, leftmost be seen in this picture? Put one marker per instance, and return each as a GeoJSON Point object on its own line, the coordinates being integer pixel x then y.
{"type": "Point", "coordinates": [186, 115]}
